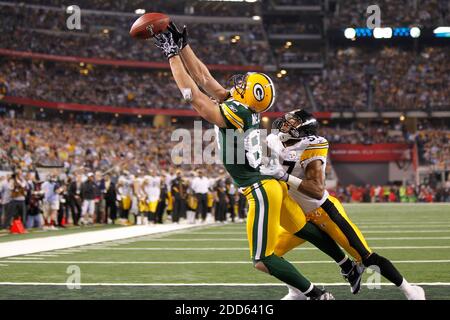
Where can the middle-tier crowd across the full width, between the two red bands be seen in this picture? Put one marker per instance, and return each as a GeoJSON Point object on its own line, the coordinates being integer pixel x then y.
{"type": "Point", "coordinates": [399, 81]}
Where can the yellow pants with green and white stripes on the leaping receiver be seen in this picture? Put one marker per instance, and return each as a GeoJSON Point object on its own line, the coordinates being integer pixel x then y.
{"type": "Point", "coordinates": [270, 211]}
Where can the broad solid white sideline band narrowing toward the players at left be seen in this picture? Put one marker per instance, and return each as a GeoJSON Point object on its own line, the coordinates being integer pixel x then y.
{"type": "Point", "coordinates": [21, 247]}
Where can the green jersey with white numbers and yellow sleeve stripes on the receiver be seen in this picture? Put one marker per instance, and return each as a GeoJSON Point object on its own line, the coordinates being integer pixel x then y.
{"type": "Point", "coordinates": [240, 143]}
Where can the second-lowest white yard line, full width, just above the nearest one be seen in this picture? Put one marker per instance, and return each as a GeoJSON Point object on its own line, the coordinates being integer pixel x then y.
{"type": "Point", "coordinates": [193, 262]}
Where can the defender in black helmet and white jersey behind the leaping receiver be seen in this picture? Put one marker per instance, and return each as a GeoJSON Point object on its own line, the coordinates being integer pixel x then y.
{"type": "Point", "coordinates": [301, 162]}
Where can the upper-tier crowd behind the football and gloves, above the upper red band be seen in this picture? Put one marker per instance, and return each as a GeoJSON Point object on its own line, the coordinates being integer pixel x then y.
{"type": "Point", "coordinates": [106, 36]}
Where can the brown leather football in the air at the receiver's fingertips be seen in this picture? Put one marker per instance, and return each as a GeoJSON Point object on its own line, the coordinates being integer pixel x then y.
{"type": "Point", "coordinates": [149, 24]}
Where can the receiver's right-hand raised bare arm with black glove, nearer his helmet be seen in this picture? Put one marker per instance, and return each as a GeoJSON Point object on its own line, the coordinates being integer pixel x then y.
{"type": "Point", "coordinates": [197, 69]}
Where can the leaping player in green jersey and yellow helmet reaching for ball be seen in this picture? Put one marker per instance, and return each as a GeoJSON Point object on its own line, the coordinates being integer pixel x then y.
{"type": "Point", "coordinates": [239, 110]}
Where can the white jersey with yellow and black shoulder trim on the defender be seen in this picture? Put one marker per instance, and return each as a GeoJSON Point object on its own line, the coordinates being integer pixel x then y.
{"type": "Point", "coordinates": [295, 158]}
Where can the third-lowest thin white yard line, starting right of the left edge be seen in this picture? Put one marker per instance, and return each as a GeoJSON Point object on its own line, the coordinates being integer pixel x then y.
{"type": "Point", "coordinates": [246, 248]}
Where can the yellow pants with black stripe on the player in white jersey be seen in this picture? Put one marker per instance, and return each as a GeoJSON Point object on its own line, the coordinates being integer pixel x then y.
{"type": "Point", "coordinates": [345, 233]}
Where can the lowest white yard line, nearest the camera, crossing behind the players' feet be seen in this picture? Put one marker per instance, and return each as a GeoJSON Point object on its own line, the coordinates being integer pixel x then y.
{"type": "Point", "coordinates": [206, 284]}
